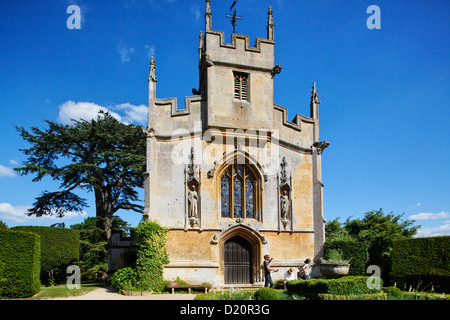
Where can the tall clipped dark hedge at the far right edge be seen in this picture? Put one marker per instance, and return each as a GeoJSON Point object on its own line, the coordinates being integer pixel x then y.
{"type": "Point", "coordinates": [422, 263]}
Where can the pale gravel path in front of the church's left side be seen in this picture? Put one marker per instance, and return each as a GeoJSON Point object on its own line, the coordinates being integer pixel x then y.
{"type": "Point", "coordinates": [109, 294]}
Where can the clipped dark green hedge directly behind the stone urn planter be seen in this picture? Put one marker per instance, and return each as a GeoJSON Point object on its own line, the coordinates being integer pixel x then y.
{"type": "Point", "coordinates": [351, 249]}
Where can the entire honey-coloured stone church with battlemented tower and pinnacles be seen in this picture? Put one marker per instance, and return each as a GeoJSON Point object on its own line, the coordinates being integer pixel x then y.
{"type": "Point", "coordinates": [229, 175]}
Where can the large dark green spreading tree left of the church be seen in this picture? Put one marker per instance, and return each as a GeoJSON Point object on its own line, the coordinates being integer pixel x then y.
{"type": "Point", "coordinates": [103, 156]}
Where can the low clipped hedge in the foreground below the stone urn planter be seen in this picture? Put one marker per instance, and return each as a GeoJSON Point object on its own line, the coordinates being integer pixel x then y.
{"type": "Point", "coordinates": [350, 285]}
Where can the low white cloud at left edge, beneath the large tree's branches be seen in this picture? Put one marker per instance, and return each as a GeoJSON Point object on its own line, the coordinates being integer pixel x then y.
{"type": "Point", "coordinates": [18, 214]}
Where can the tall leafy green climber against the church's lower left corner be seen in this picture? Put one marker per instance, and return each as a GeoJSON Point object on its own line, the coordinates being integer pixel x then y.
{"type": "Point", "coordinates": [151, 238]}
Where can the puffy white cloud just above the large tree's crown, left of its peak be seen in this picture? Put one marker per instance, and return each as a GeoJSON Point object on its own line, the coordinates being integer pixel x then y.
{"type": "Point", "coordinates": [81, 110]}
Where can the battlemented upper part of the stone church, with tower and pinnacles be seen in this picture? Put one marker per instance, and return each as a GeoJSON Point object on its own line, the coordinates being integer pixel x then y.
{"type": "Point", "coordinates": [236, 90]}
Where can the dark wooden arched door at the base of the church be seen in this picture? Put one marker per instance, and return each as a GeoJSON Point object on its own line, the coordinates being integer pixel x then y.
{"type": "Point", "coordinates": [238, 261]}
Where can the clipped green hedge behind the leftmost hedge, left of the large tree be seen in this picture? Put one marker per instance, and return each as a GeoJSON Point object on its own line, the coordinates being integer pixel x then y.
{"type": "Point", "coordinates": [59, 249]}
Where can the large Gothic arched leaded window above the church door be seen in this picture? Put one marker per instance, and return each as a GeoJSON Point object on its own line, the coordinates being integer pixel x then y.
{"type": "Point", "coordinates": [237, 192]}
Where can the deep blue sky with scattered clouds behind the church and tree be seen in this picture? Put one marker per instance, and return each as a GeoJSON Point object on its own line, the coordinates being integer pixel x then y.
{"type": "Point", "coordinates": [385, 92]}
